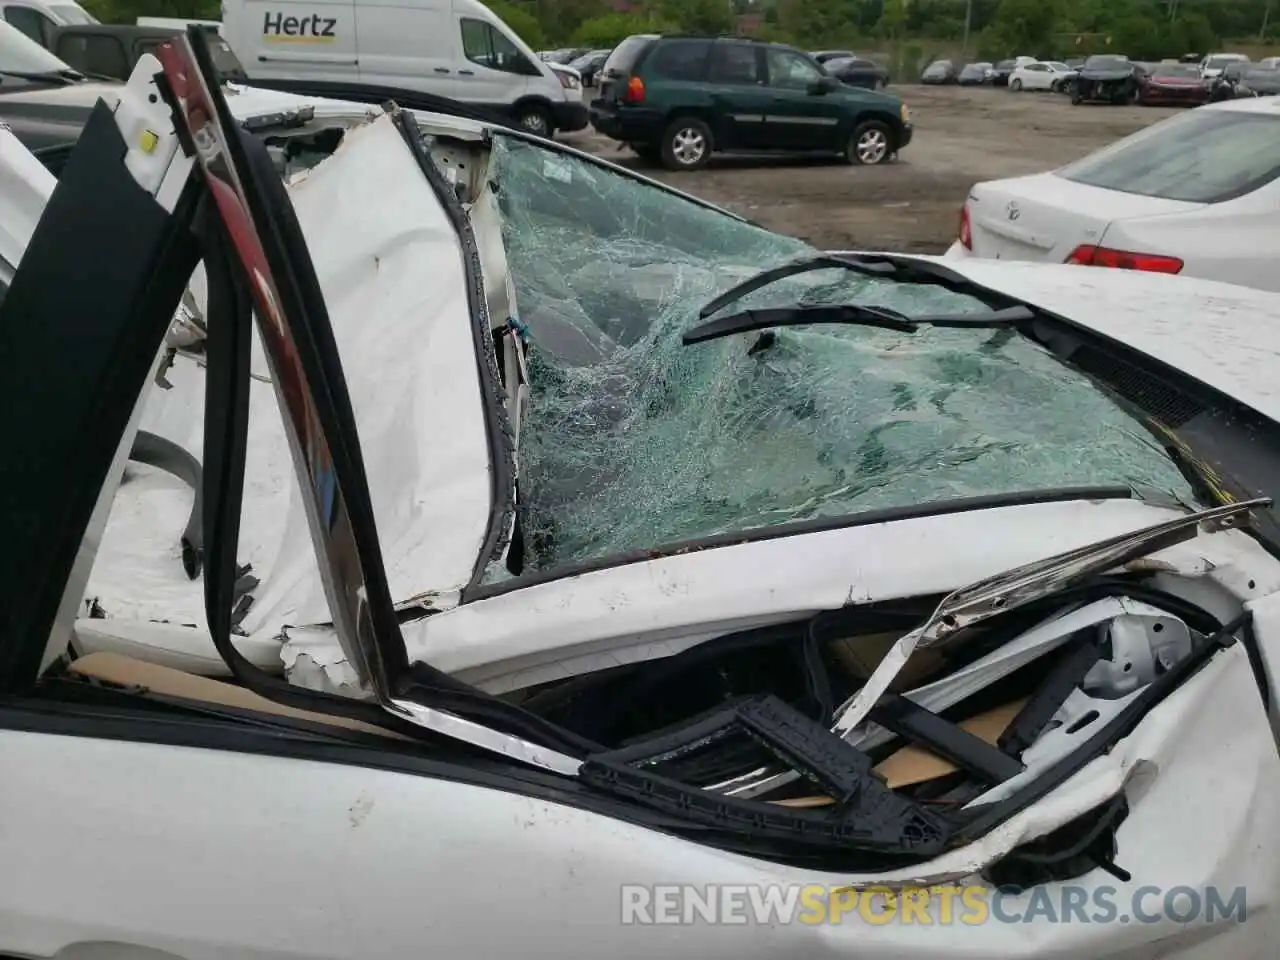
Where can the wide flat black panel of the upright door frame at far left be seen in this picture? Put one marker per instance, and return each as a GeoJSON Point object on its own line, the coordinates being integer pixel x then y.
{"type": "Point", "coordinates": [79, 354]}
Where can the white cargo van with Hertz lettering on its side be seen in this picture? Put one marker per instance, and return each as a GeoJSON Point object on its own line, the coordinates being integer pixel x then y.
{"type": "Point", "coordinates": [458, 49]}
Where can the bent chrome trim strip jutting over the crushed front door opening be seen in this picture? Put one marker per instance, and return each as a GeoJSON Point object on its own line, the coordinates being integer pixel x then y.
{"type": "Point", "coordinates": [1000, 595]}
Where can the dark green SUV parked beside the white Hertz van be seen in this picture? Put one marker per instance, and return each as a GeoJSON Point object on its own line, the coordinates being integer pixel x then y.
{"type": "Point", "coordinates": [680, 99]}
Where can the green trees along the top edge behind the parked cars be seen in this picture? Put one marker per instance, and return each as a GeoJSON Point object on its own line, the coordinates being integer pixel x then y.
{"type": "Point", "coordinates": [986, 29]}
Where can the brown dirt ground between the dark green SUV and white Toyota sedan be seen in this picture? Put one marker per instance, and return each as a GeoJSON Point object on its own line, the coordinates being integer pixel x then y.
{"type": "Point", "coordinates": [962, 136]}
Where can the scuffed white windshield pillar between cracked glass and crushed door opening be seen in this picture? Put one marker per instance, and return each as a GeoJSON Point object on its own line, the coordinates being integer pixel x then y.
{"type": "Point", "coordinates": [661, 607]}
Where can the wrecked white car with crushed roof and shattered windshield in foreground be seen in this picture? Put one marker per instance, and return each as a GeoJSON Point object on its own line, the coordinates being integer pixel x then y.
{"type": "Point", "coordinates": [519, 536]}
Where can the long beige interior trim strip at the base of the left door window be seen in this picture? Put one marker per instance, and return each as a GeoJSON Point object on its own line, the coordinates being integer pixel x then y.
{"type": "Point", "coordinates": [167, 682]}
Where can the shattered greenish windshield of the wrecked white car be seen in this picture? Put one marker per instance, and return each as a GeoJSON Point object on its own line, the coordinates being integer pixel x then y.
{"type": "Point", "coordinates": [634, 441]}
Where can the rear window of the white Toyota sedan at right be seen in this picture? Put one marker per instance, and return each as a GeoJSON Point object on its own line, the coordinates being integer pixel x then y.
{"type": "Point", "coordinates": [1204, 157]}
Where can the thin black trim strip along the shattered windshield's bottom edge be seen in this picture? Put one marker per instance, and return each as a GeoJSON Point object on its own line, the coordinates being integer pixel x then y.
{"type": "Point", "coordinates": [888, 515]}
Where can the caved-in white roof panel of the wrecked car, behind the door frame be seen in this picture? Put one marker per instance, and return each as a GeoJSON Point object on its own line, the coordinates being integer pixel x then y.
{"type": "Point", "coordinates": [391, 269]}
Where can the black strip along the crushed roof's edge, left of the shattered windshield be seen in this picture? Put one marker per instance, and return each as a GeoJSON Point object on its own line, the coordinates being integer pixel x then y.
{"type": "Point", "coordinates": [502, 445]}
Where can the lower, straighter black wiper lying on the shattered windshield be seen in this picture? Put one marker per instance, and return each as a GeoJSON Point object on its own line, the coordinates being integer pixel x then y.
{"type": "Point", "coordinates": [852, 316]}
